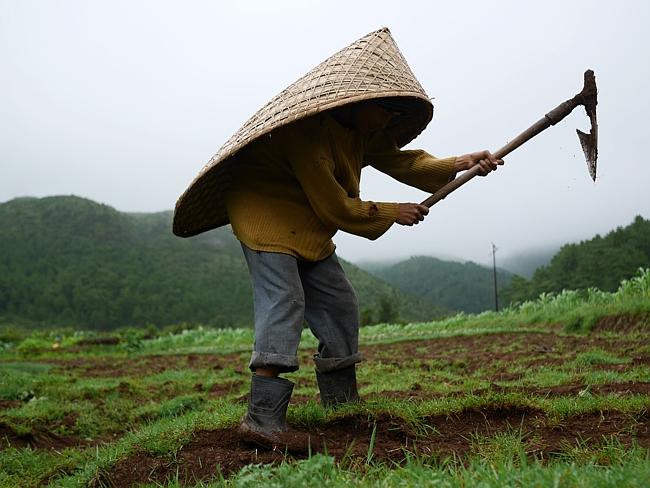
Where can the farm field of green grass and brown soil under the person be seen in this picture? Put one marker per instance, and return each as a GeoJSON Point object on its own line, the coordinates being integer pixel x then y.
{"type": "Point", "coordinates": [554, 392]}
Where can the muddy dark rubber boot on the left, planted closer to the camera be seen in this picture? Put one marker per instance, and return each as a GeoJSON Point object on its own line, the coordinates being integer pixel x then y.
{"type": "Point", "coordinates": [265, 423]}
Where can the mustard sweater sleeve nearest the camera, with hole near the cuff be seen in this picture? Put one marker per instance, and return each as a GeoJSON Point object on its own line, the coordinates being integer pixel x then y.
{"type": "Point", "coordinates": [314, 169]}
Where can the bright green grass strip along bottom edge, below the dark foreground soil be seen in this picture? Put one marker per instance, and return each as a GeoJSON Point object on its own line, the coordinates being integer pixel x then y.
{"type": "Point", "coordinates": [629, 470]}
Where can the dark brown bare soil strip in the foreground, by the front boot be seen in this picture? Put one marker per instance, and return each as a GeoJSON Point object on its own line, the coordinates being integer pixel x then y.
{"type": "Point", "coordinates": [348, 440]}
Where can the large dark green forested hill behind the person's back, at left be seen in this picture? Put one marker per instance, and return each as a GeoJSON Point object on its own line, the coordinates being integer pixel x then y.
{"type": "Point", "coordinates": [72, 261]}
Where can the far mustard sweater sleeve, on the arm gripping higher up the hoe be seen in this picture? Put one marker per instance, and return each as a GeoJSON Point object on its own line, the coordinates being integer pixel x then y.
{"type": "Point", "coordinates": [416, 168]}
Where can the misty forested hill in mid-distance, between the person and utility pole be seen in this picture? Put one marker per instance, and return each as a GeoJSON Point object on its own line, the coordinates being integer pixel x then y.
{"type": "Point", "coordinates": [465, 287]}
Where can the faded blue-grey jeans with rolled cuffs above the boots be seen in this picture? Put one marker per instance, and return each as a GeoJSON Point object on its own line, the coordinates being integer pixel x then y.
{"type": "Point", "coordinates": [288, 292]}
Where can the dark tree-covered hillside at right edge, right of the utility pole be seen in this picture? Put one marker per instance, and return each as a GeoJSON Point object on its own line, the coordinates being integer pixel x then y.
{"type": "Point", "coordinates": [601, 262]}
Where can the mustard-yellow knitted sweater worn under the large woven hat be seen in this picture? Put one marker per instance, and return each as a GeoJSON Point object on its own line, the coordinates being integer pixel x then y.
{"type": "Point", "coordinates": [292, 190]}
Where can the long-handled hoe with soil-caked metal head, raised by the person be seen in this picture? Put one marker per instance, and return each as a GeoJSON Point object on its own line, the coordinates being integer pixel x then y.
{"type": "Point", "coordinates": [587, 98]}
